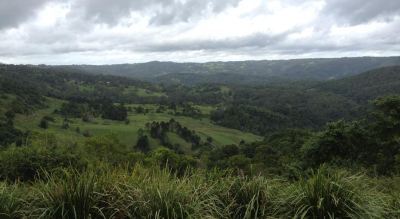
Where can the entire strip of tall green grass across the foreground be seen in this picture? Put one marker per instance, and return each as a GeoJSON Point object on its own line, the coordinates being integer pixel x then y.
{"type": "Point", "coordinates": [144, 192]}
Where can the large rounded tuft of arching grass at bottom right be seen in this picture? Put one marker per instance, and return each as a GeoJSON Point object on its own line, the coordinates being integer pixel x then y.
{"type": "Point", "coordinates": [327, 194]}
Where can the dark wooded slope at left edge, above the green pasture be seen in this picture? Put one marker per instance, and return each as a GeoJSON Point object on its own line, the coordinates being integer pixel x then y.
{"type": "Point", "coordinates": [30, 83]}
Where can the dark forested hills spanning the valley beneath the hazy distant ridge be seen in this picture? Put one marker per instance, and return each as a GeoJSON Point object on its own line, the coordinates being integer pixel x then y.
{"type": "Point", "coordinates": [258, 109]}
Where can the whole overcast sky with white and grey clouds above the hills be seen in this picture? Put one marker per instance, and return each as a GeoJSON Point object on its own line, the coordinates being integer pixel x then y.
{"type": "Point", "coordinates": [134, 31]}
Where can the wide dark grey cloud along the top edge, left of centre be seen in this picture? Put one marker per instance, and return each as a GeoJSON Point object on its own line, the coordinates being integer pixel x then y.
{"type": "Point", "coordinates": [162, 12]}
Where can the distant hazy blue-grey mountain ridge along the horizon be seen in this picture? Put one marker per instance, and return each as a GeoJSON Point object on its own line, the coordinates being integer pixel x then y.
{"type": "Point", "coordinates": [235, 72]}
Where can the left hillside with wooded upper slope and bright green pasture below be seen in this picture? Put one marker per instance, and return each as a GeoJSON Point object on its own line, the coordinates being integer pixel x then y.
{"type": "Point", "coordinates": [74, 106]}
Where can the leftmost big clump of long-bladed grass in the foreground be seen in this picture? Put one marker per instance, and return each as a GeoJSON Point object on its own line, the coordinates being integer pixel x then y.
{"type": "Point", "coordinates": [68, 195]}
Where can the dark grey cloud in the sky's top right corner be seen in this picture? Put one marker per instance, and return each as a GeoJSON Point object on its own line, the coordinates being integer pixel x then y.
{"type": "Point", "coordinates": [355, 12]}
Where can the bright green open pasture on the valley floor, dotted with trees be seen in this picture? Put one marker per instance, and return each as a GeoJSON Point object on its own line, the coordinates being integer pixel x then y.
{"type": "Point", "coordinates": [127, 133]}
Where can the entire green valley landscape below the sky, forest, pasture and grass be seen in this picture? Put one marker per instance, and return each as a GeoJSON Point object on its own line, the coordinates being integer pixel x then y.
{"type": "Point", "coordinates": [95, 142]}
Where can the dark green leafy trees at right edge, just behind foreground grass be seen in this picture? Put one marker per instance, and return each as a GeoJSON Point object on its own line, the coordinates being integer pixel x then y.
{"type": "Point", "coordinates": [371, 143]}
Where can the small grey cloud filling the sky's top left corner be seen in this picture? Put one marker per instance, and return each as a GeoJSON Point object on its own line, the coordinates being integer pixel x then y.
{"type": "Point", "coordinates": [13, 12]}
